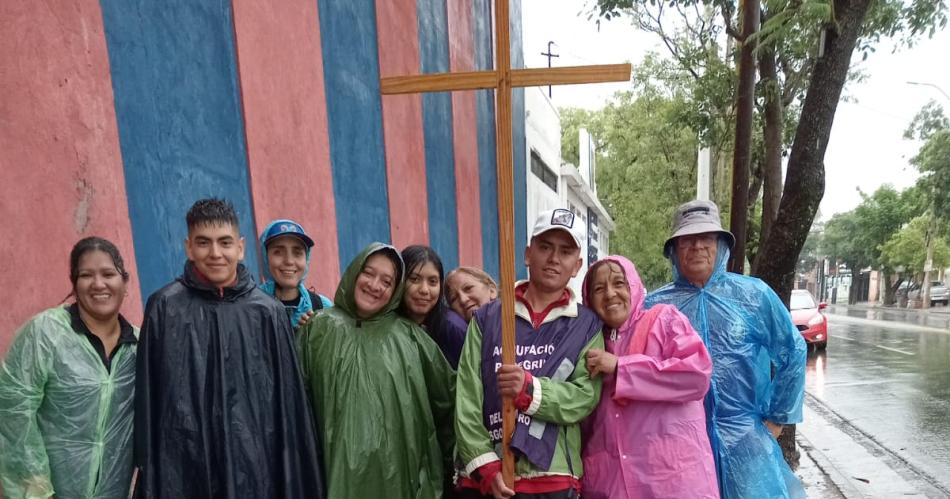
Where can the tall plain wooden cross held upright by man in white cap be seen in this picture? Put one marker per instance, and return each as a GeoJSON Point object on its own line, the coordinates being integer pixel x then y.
{"type": "Point", "coordinates": [502, 79]}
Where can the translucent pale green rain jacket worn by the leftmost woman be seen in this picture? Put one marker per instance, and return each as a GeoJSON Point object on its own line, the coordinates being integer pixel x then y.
{"type": "Point", "coordinates": [65, 421]}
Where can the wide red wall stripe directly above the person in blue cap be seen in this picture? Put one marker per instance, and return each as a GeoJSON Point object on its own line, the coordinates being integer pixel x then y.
{"type": "Point", "coordinates": [281, 75]}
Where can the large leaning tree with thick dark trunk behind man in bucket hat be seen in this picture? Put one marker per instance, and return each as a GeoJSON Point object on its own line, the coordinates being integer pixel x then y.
{"type": "Point", "coordinates": [793, 30]}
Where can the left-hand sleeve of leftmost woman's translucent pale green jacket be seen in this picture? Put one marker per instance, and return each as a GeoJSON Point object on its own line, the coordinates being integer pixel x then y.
{"type": "Point", "coordinates": [24, 466]}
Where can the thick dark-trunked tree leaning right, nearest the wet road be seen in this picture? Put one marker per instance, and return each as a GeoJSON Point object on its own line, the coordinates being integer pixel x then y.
{"type": "Point", "coordinates": [844, 26]}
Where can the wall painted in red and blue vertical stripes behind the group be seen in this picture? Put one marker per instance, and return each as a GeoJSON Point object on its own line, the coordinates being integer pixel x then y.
{"type": "Point", "coordinates": [126, 112]}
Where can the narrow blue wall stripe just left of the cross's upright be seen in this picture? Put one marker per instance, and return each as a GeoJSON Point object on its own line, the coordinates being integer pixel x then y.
{"type": "Point", "coordinates": [485, 110]}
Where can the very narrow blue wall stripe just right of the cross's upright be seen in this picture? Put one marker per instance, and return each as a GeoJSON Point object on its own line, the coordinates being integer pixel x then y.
{"type": "Point", "coordinates": [519, 144]}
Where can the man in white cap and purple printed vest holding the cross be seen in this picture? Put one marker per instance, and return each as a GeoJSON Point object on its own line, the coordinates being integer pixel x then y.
{"type": "Point", "coordinates": [550, 384]}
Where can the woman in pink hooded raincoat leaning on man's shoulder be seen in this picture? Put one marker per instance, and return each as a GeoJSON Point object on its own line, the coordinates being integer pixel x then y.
{"type": "Point", "coordinates": [647, 438]}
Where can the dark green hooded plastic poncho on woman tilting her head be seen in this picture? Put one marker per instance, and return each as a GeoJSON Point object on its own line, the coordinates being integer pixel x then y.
{"type": "Point", "coordinates": [383, 396]}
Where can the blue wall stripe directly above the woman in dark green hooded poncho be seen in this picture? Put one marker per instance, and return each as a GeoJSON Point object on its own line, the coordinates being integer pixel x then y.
{"type": "Point", "coordinates": [355, 124]}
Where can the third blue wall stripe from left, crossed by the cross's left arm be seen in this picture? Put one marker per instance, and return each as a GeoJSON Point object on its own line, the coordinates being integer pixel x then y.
{"type": "Point", "coordinates": [437, 126]}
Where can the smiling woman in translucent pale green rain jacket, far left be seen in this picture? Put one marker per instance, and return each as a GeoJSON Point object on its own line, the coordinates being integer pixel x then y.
{"type": "Point", "coordinates": [66, 389]}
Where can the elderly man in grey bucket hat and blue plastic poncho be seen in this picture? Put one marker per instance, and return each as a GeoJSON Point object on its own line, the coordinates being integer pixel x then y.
{"type": "Point", "coordinates": [748, 331]}
